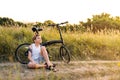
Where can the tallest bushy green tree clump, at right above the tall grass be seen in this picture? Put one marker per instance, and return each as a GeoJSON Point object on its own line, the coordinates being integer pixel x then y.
{"type": "Point", "coordinates": [102, 22]}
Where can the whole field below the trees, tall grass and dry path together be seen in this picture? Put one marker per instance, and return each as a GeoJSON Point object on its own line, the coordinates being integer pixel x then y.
{"type": "Point", "coordinates": [93, 56]}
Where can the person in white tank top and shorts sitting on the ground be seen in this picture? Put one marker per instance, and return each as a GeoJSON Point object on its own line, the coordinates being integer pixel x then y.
{"type": "Point", "coordinates": [37, 54]}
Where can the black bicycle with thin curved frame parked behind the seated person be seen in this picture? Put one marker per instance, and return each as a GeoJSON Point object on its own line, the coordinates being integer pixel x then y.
{"type": "Point", "coordinates": [21, 51]}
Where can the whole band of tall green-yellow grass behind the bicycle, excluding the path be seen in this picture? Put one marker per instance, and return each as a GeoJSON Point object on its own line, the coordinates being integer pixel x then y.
{"type": "Point", "coordinates": [83, 46]}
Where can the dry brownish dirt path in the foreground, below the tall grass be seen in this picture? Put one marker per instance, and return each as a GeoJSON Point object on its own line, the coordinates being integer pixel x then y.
{"type": "Point", "coordinates": [76, 70]}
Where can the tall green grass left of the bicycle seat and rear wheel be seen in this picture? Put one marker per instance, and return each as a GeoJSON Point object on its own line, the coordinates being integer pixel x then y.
{"type": "Point", "coordinates": [10, 38]}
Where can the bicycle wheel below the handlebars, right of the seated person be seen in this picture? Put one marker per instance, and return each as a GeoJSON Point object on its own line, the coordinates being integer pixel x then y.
{"type": "Point", "coordinates": [65, 54]}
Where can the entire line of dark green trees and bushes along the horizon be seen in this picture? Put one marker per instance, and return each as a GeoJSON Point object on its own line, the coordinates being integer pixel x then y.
{"type": "Point", "coordinates": [103, 21]}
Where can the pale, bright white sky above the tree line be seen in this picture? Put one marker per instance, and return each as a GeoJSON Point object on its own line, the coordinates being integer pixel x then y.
{"type": "Point", "coordinates": [72, 11]}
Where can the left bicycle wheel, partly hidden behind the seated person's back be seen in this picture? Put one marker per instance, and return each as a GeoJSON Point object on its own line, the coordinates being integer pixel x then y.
{"type": "Point", "coordinates": [21, 53]}
